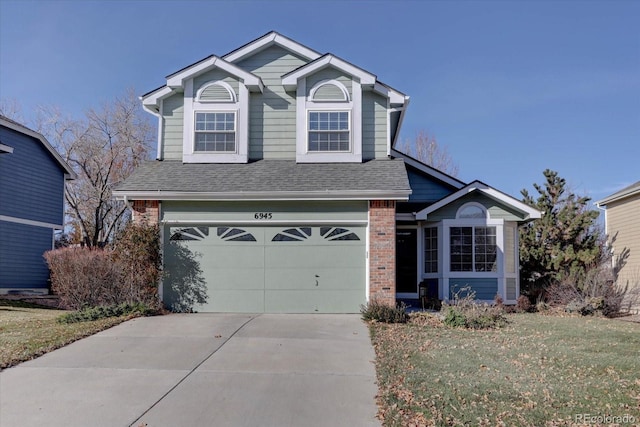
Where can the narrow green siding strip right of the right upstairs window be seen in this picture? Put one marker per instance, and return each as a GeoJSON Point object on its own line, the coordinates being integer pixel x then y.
{"type": "Point", "coordinates": [374, 126]}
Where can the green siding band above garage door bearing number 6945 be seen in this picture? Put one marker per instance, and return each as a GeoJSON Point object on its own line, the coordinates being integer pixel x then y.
{"type": "Point", "coordinates": [243, 212]}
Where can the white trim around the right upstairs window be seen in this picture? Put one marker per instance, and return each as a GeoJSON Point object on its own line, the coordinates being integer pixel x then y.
{"type": "Point", "coordinates": [305, 104]}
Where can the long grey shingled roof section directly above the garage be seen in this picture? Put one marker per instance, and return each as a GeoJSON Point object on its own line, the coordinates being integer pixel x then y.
{"type": "Point", "coordinates": [267, 180]}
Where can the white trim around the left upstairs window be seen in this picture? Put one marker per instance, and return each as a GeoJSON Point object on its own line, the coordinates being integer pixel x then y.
{"type": "Point", "coordinates": [241, 109]}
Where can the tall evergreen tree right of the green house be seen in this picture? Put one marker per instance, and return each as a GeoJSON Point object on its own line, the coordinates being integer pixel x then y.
{"type": "Point", "coordinates": [564, 243]}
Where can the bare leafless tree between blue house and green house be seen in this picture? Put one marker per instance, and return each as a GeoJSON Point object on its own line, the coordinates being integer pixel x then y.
{"type": "Point", "coordinates": [103, 148]}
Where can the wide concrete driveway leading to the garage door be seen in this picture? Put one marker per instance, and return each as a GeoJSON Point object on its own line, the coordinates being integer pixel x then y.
{"type": "Point", "coordinates": [201, 370]}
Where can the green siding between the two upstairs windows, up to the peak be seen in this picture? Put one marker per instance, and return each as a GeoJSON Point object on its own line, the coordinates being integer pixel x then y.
{"type": "Point", "coordinates": [272, 115]}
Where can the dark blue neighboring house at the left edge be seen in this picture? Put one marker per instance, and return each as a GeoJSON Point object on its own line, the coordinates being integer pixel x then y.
{"type": "Point", "coordinates": [32, 180]}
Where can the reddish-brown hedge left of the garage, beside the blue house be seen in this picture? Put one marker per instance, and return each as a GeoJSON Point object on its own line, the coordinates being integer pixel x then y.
{"type": "Point", "coordinates": [125, 272]}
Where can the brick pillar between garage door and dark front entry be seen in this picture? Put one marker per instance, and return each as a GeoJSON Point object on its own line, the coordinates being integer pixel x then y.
{"type": "Point", "coordinates": [382, 251]}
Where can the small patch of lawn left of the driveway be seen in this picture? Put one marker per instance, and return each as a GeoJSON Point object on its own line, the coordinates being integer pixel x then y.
{"type": "Point", "coordinates": [28, 331]}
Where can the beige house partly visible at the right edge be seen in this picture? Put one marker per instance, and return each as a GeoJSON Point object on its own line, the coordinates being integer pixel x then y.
{"type": "Point", "coordinates": [622, 224]}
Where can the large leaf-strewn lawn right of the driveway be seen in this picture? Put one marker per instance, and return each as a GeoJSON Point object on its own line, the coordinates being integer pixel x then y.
{"type": "Point", "coordinates": [539, 370]}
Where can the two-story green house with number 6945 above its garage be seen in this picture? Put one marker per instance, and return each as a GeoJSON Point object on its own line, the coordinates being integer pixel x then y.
{"type": "Point", "coordinates": [277, 172]}
